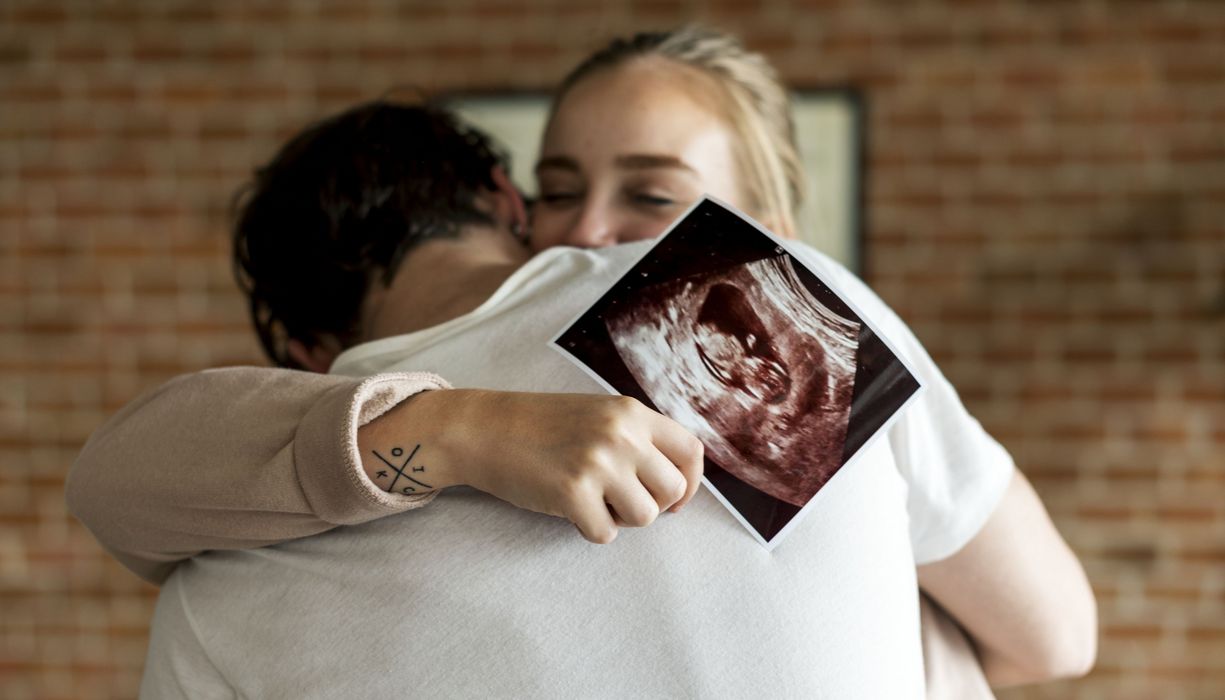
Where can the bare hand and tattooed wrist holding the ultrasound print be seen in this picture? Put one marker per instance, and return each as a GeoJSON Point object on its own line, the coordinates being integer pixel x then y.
{"type": "Point", "coordinates": [598, 462]}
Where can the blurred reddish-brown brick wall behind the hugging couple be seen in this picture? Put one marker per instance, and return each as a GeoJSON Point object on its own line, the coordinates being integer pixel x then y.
{"type": "Point", "coordinates": [1046, 205]}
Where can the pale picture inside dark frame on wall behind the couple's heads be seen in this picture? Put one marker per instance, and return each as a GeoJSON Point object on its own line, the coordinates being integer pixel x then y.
{"type": "Point", "coordinates": [830, 127]}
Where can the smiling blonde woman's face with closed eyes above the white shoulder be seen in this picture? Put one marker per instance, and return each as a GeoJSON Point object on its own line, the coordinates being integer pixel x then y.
{"type": "Point", "coordinates": [627, 153]}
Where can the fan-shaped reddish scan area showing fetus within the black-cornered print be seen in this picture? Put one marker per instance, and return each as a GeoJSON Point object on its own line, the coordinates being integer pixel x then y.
{"type": "Point", "coordinates": [754, 365]}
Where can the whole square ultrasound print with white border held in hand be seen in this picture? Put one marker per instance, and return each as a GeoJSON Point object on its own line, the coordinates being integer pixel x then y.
{"type": "Point", "coordinates": [723, 330]}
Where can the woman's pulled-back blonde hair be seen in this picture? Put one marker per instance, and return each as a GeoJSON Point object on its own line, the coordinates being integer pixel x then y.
{"type": "Point", "coordinates": [756, 107]}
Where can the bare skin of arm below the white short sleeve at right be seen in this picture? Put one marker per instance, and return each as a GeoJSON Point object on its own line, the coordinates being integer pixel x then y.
{"type": "Point", "coordinates": [1021, 594]}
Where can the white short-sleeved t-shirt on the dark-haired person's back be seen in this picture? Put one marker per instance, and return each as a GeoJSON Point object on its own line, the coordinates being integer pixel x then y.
{"type": "Point", "coordinates": [472, 598]}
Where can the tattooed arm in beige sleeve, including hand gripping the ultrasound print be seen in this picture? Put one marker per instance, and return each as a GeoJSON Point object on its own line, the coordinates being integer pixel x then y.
{"type": "Point", "coordinates": [246, 458]}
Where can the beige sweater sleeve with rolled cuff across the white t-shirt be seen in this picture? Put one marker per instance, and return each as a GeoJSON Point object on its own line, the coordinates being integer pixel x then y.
{"type": "Point", "coordinates": [235, 459]}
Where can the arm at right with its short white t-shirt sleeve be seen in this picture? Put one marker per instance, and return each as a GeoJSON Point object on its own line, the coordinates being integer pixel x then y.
{"type": "Point", "coordinates": [987, 550]}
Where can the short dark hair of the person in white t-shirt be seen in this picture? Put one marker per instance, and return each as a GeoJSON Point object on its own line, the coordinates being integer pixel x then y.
{"type": "Point", "coordinates": [341, 205]}
